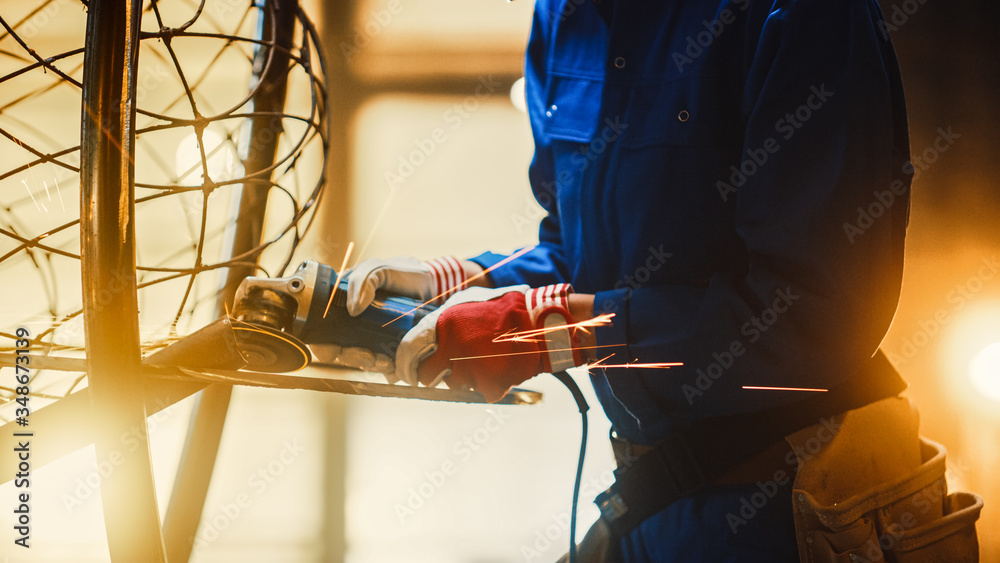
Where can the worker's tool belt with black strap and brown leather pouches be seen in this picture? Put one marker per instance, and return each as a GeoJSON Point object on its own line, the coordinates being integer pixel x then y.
{"type": "Point", "coordinates": [867, 487]}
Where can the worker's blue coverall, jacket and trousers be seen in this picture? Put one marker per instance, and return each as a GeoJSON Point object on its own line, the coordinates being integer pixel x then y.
{"type": "Point", "coordinates": [731, 179]}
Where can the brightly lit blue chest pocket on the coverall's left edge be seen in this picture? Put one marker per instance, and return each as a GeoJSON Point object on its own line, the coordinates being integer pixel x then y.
{"type": "Point", "coordinates": [571, 108]}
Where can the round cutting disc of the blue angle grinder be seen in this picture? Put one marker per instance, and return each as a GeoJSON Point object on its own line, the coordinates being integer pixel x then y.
{"type": "Point", "coordinates": [269, 350]}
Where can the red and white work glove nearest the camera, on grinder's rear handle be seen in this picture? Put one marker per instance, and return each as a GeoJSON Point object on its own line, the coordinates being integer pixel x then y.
{"type": "Point", "coordinates": [470, 342]}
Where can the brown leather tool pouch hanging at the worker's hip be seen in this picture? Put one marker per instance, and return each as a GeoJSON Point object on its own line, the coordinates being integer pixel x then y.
{"type": "Point", "coordinates": [875, 491]}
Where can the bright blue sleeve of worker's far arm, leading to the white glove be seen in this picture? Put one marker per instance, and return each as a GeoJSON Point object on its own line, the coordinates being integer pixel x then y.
{"type": "Point", "coordinates": [545, 264]}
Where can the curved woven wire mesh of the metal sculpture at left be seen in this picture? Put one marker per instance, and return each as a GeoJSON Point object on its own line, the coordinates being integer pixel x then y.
{"type": "Point", "coordinates": [194, 96]}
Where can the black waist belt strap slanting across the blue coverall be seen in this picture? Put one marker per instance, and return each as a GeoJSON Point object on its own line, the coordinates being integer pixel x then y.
{"type": "Point", "coordinates": [686, 461]}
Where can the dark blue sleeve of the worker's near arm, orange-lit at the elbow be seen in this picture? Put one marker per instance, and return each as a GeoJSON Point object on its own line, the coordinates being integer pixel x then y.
{"type": "Point", "coordinates": [822, 221]}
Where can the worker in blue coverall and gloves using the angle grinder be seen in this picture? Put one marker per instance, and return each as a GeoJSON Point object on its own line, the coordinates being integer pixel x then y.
{"type": "Point", "coordinates": [727, 186]}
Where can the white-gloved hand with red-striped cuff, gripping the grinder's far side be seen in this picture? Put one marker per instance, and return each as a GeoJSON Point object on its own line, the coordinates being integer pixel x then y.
{"type": "Point", "coordinates": [403, 275]}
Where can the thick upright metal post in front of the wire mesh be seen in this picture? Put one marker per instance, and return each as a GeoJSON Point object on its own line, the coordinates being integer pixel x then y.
{"type": "Point", "coordinates": [107, 224]}
